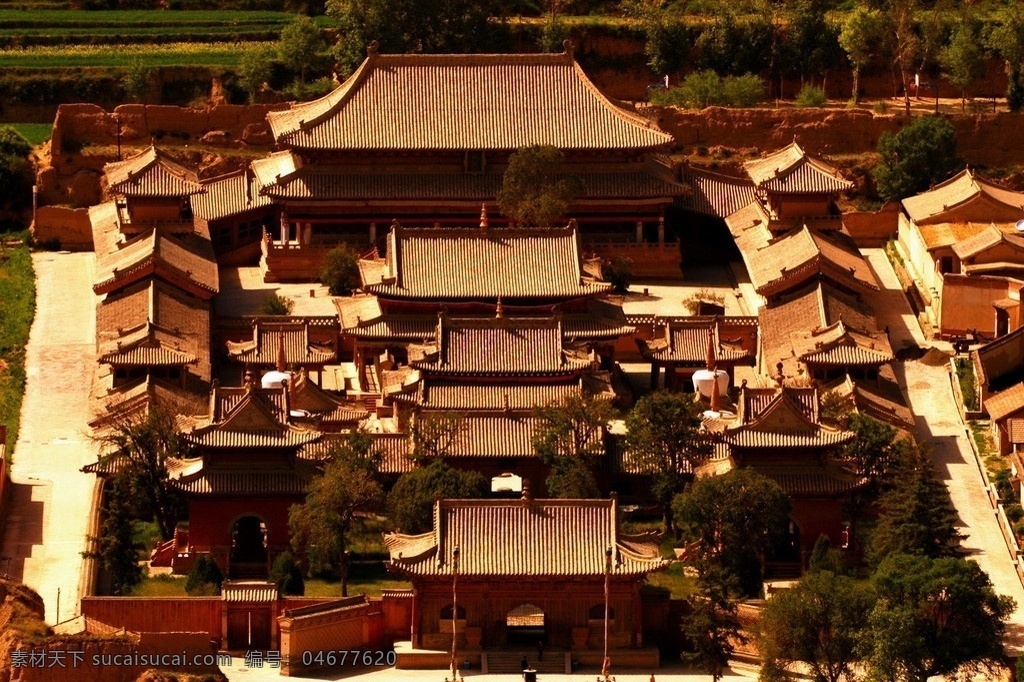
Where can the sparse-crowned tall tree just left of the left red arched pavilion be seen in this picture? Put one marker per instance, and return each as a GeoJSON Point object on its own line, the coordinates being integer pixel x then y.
{"type": "Point", "coordinates": [141, 448]}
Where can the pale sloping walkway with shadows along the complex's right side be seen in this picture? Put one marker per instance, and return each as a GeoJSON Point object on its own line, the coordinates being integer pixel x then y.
{"type": "Point", "coordinates": [938, 424]}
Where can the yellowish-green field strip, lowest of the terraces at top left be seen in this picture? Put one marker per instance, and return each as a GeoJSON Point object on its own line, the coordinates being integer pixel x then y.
{"type": "Point", "coordinates": [172, 55]}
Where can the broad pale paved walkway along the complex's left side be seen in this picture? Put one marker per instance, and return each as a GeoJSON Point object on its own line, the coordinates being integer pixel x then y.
{"type": "Point", "coordinates": [44, 542]}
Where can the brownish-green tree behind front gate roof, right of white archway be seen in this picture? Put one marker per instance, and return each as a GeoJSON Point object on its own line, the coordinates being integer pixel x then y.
{"type": "Point", "coordinates": [570, 438]}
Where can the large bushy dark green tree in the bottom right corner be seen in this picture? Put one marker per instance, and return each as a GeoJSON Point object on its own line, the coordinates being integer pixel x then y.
{"type": "Point", "coordinates": [934, 617]}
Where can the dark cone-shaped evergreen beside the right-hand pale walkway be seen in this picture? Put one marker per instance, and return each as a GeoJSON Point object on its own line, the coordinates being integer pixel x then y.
{"type": "Point", "coordinates": [917, 516]}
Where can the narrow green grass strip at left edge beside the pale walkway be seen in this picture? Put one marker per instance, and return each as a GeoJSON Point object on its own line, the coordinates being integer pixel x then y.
{"type": "Point", "coordinates": [18, 307]}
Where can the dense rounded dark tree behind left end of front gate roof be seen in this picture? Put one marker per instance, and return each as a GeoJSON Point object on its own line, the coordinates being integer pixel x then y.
{"type": "Point", "coordinates": [411, 502]}
